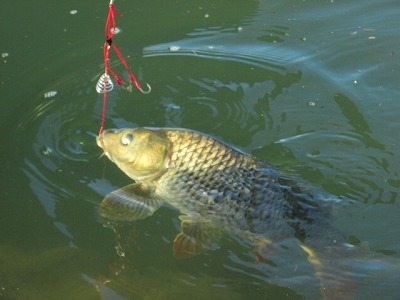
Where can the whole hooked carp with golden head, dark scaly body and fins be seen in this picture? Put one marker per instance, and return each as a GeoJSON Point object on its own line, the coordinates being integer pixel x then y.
{"type": "Point", "coordinates": [217, 187]}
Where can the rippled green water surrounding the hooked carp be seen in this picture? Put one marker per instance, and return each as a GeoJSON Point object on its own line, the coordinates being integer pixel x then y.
{"type": "Point", "coordinates": [310, 86]}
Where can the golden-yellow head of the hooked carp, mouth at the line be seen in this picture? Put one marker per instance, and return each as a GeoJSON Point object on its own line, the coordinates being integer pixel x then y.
{"type": "Point", "coordinates": [139, 152]}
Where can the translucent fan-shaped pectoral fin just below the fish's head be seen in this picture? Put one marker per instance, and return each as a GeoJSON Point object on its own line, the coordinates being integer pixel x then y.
{"type": "Point", "coordinates": [131, 203]}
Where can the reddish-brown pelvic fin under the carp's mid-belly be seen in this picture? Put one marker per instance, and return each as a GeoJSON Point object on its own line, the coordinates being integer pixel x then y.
{"type": "Point", "coordinates": [197, 236]}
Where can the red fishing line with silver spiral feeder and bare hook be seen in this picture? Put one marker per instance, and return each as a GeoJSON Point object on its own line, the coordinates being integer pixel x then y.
{"type": "Point", "coordinates": [105, 84]}
